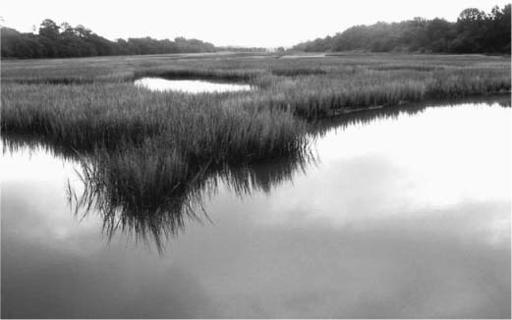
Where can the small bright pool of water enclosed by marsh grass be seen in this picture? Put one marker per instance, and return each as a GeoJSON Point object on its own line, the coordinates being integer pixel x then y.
{"type": "Point", "coordinates": [190, 86]}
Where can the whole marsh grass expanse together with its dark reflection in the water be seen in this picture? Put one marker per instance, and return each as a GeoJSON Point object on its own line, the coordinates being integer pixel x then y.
{"type": "Point", "coordinates": [148, 157]}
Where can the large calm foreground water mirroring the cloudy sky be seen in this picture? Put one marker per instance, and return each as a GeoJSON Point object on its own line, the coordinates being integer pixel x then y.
{"type": "Point", "coordinates": [402, 215]}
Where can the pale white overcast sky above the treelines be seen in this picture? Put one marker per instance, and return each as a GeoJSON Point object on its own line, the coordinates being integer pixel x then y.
{"type": "Point", "coordinates": [259, 23]}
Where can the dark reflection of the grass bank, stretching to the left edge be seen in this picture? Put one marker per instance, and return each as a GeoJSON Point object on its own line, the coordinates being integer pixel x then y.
{"type": "Point", "coordinates": [113, 184]}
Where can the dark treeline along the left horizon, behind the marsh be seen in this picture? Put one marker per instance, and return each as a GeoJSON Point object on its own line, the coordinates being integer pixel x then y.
{"type": "Point", "coordinates": [54, 41]}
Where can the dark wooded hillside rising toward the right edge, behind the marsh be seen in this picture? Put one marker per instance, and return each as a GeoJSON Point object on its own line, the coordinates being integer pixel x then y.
{"type": "Point", "coordinates": [474, 32]}
